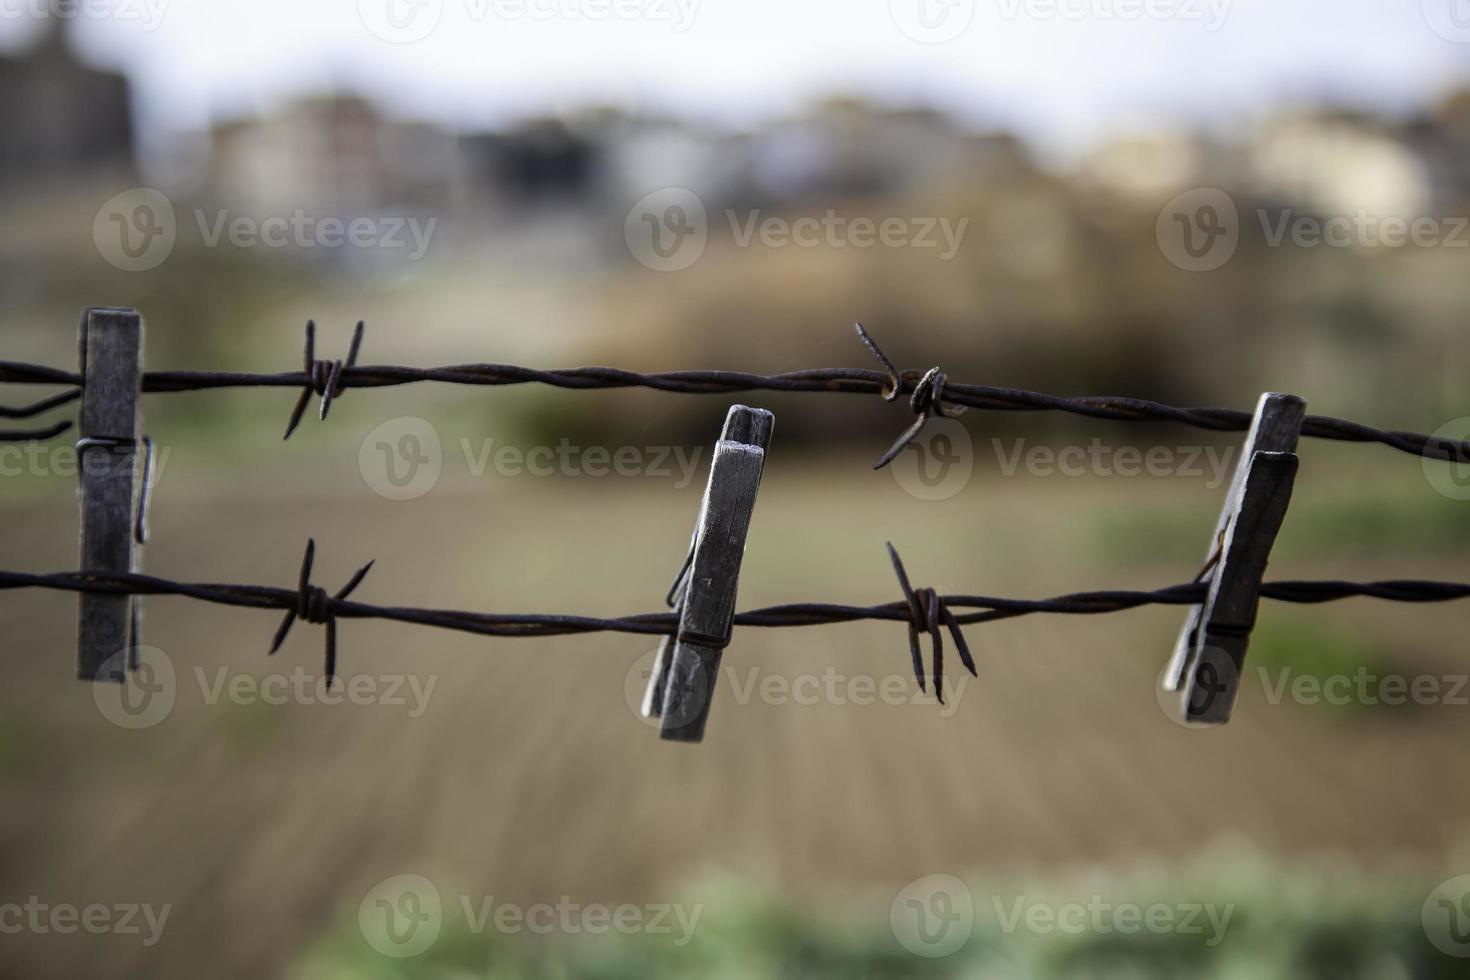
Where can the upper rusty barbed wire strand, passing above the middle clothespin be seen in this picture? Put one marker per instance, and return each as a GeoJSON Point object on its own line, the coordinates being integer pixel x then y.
{"type": "Point", "coordinates": [930, 393]}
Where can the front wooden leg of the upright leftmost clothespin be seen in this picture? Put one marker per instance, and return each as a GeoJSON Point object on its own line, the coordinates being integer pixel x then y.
{"type": "Point", "coordinates": [111, 346]}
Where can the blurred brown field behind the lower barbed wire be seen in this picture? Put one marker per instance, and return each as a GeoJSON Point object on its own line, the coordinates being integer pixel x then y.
{"type": "Point", "coordinates": [530, 778]}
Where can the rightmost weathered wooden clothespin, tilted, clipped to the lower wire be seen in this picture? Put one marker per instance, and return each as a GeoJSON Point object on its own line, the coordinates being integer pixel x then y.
{"type": "Point", "coordinates": [1211, 656]}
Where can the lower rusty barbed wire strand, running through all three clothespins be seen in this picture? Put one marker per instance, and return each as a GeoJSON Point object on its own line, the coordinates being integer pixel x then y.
{"type": "Point", "coordinates": [922, 610]}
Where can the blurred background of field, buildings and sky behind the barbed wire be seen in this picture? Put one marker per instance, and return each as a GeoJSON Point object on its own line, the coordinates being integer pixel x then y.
{"type": "Point", "coordinates": [1187, 201]}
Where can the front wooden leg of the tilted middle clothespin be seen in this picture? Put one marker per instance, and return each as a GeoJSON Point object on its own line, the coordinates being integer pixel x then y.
{"type": "Point", "coordinates": [711, 584]}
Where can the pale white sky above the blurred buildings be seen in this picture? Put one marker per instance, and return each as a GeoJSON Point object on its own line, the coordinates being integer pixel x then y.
{"type": "Point", "coordinates": [1064, 73]}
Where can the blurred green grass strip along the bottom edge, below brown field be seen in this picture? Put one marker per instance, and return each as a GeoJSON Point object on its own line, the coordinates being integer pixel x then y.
{"type": "Point", "coordinates": [1291, 925]}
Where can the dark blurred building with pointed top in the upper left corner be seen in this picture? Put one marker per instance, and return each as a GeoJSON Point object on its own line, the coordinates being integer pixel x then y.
{"type": "Point", "coordinates": [58, 117]}
